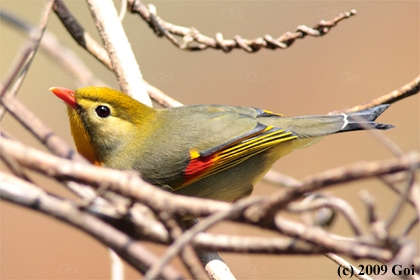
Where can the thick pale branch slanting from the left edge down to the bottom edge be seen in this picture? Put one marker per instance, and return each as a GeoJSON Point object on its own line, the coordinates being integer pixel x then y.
{"type": "Point", "coordinates": [23, 193]}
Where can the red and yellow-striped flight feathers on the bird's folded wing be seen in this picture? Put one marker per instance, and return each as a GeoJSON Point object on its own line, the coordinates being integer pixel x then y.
{"type": "Point", "coordinates": [212, 161]}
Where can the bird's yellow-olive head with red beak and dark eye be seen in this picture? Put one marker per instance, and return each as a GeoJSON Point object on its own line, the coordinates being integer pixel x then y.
{"type": "Point", "coordinates": [103, 120]}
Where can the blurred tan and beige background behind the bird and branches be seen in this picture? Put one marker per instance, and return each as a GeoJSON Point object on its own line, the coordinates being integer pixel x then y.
{"type": "Point", "coordinates": [364, 57]}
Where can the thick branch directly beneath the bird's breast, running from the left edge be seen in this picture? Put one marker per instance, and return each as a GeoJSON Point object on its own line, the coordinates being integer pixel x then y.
{"type": "Point", "coordinates": [125, 183]}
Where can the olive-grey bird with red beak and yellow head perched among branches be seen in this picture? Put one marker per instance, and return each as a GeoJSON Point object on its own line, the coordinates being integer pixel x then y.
{"type": "Point", "coordinates": [210, 151]}
